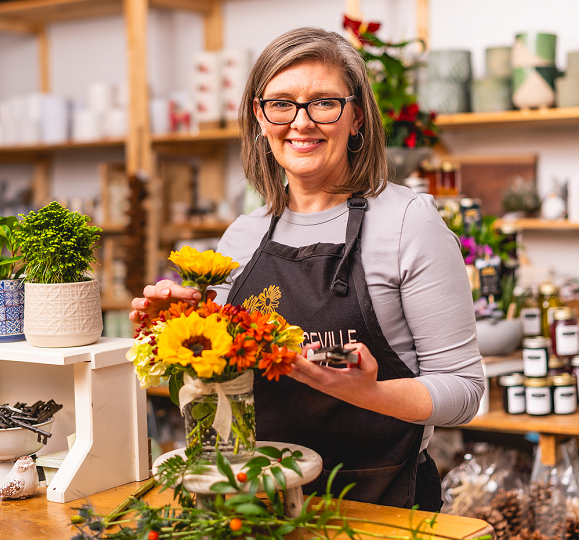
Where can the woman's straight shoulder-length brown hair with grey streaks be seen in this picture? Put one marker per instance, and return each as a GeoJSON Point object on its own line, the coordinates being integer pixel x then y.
{"type": "Point", "coordinates": [368, 166]}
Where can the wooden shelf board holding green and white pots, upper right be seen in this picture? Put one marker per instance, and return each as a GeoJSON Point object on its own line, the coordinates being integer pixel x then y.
{"type": "Point", "coordinates": [564, 116]}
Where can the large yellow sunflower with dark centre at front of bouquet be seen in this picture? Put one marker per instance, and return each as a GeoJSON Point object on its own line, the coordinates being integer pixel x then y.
{"type": "Point", "coordinates": [197, 342]}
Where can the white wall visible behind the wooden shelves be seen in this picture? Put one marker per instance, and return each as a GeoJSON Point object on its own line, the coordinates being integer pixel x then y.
{"type": "Point", "coordinates": [82, 52]}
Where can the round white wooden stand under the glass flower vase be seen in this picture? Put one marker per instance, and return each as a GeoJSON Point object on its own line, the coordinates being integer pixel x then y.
{"type": "Point", "coordinates": [310, 465]}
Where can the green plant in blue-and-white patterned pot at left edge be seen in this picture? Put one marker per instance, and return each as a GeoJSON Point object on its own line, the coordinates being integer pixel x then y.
{"type": "Point", "coordinates": [11, 284]}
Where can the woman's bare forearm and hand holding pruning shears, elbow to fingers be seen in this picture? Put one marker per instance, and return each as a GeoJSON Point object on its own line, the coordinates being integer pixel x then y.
{"type": "Point", "coordinates": [405, 398]}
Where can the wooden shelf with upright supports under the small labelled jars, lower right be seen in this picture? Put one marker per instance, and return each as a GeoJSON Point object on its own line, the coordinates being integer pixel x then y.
{"type": "Point", "coordinates": [552, 428]}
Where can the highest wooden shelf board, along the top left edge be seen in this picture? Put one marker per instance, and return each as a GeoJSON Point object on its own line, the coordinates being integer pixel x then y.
{"type": "Point", "coordinates": [26, 16]}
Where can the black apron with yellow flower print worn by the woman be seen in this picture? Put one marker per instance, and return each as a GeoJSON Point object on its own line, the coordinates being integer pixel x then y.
{"type": "Point", "coordinates": [322, 289]}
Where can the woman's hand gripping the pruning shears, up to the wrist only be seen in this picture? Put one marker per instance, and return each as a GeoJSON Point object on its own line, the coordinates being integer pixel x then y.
{"type": "Point", "coordinates": [354, 384]}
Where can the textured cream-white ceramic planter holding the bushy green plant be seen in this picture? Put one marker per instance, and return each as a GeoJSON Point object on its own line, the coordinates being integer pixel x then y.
{"type": "Point", "coordinates": [62, 314]}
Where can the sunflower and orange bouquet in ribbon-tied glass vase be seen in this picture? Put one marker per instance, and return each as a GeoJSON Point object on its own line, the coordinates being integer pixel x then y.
{"type": "Point", "coordinates": [209, 355]}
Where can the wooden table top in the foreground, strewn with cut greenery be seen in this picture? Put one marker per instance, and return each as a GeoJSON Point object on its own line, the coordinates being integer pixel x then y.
{"type": "Point", "coordinates": [38, 519]}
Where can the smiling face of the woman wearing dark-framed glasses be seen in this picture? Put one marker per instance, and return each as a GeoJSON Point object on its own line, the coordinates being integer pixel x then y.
{"type": "Point", "coordinates": [311, 153]}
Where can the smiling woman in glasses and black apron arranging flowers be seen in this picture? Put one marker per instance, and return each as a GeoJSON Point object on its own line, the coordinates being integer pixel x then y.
{"type": "Point", "coordinates": [353, 261]}
